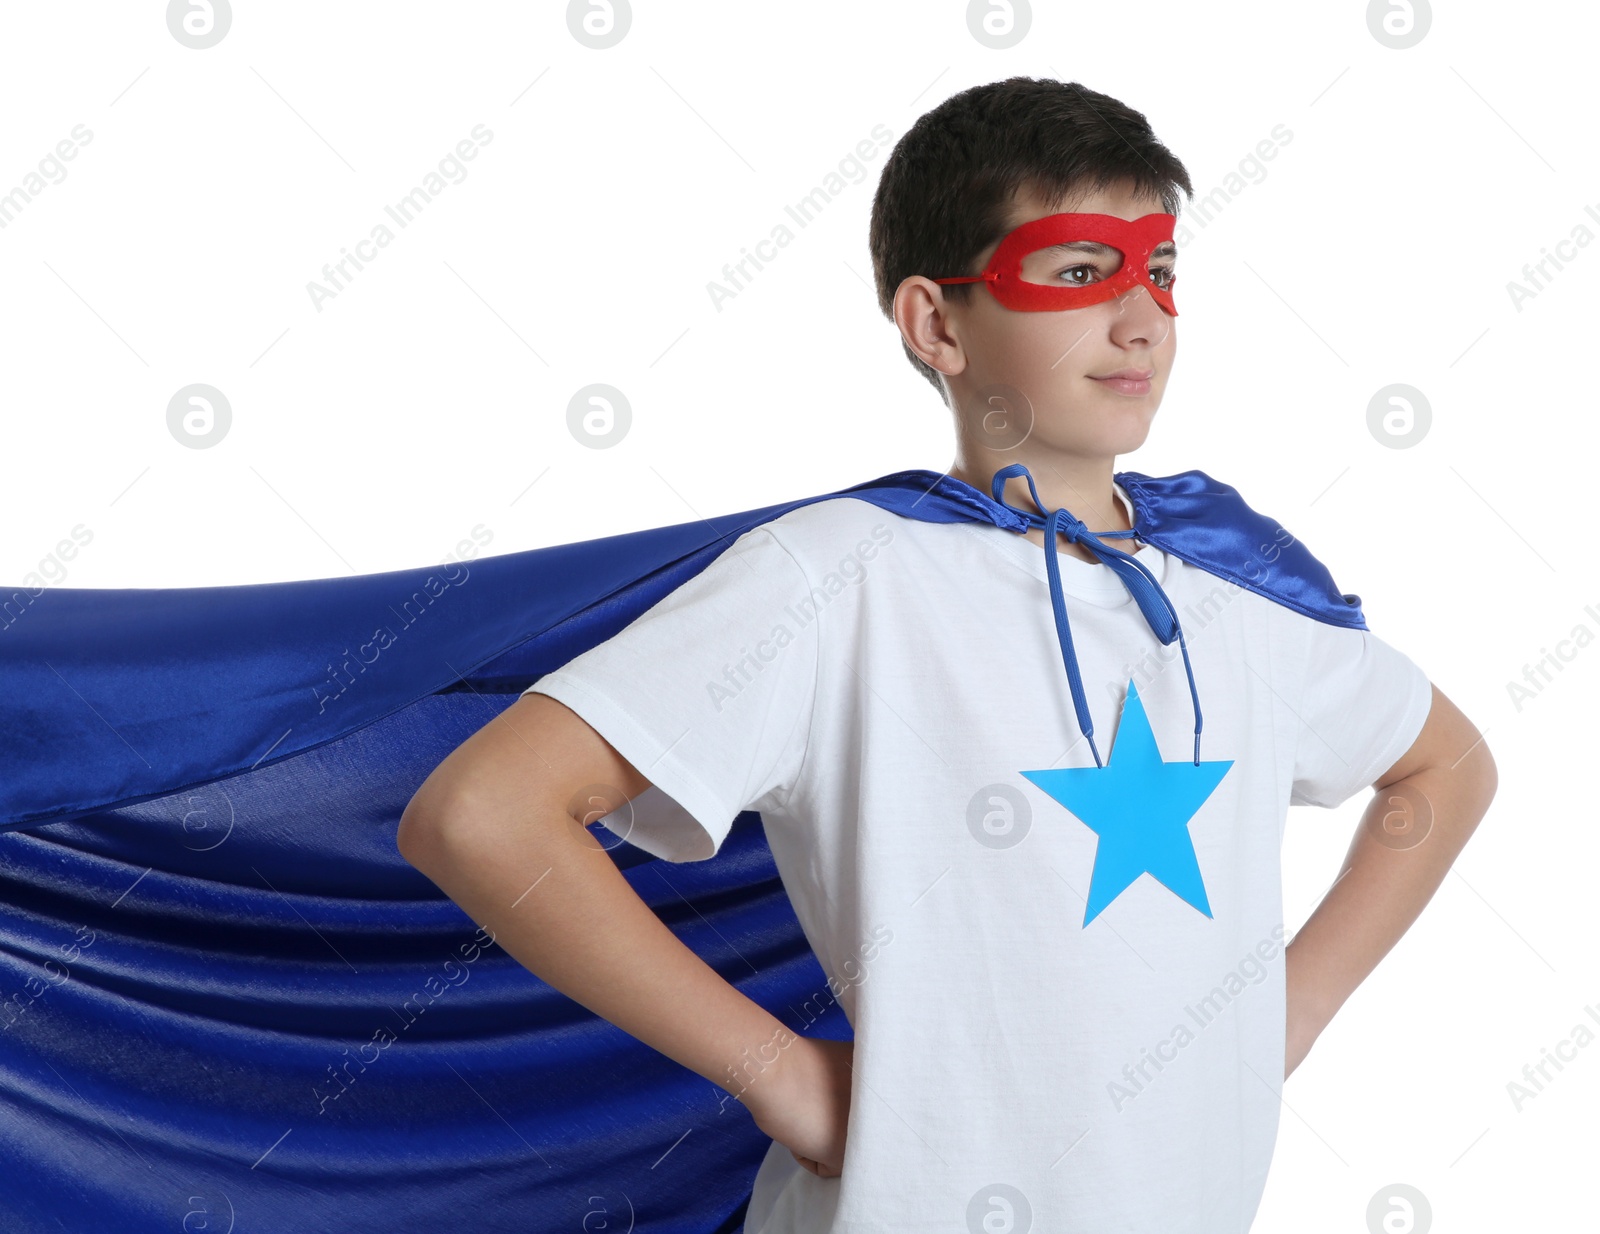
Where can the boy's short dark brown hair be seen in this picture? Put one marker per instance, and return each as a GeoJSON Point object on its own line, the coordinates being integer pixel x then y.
{"type": "Point", "coordinates": [948, 188]}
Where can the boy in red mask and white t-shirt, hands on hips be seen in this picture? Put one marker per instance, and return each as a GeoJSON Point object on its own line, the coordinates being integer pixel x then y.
{"type": "Point", "coordinates": [1044, 1038]}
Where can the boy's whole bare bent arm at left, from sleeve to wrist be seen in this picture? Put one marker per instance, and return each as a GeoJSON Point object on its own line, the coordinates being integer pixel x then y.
{"type": "Point", "coordinates": [500, 828]}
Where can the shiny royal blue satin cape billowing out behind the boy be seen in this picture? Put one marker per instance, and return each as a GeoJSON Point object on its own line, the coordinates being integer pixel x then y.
{"type": "Point", "coordinates": [226, 1003]}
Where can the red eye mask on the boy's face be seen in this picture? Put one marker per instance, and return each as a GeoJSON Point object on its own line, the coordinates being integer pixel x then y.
{"type": "Point", "coordinates": [1026, 279]}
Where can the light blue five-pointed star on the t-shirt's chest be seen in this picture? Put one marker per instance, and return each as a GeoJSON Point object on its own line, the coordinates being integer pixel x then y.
{"type": "Point", "coordinates": [1140, 809]}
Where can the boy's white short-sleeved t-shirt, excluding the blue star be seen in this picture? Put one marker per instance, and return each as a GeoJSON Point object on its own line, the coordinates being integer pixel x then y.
{"type": "Point", "coordinates": [876, 687]}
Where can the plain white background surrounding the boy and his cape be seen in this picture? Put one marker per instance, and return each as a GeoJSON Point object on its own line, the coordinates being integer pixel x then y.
{"type": "Point", "coordinates": [430, 398]}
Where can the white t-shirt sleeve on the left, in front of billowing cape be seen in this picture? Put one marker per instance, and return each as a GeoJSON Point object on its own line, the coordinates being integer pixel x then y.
{"type": "Point", "coordinates": [708, 695]}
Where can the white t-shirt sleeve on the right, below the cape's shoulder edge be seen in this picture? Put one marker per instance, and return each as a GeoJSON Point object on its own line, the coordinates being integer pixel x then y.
{"type": "Point", "coordinates": [1362, 707]}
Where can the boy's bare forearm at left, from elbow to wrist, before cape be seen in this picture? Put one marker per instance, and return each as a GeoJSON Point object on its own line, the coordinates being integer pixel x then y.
{"type": "Point", "coordinates": [558, 903]}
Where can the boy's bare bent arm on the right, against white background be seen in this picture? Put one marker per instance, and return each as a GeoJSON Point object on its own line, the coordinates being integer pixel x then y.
{"type": "Point", "coordinates": [1422, 817]}
